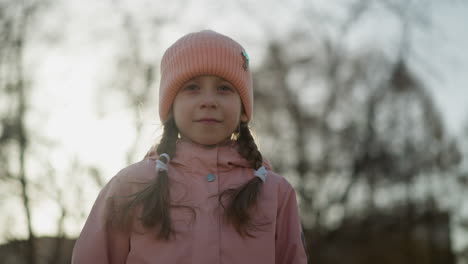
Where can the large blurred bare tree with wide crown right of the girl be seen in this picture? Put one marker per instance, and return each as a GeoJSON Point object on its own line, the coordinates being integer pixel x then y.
{"type": "Point", "coordinates": [350, 128]}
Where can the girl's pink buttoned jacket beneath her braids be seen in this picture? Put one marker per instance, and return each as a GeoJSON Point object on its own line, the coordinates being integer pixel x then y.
{"type": "Point", "coordinates": [205, 239]}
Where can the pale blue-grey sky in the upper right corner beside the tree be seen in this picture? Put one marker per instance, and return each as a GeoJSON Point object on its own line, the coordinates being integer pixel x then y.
{"type": "Point", "coordinates": [444, 52]}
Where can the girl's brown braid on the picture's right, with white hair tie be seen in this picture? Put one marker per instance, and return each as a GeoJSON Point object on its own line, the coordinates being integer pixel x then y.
{"type": "Point", "coordinates": [245, 196]}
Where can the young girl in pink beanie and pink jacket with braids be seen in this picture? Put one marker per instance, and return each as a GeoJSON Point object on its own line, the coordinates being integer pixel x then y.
{"type": "Point", "coordinates": [204, 194]}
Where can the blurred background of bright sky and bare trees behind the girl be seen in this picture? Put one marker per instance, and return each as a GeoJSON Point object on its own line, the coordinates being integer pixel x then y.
{"type": "Point", "coordinates": [360, 104]}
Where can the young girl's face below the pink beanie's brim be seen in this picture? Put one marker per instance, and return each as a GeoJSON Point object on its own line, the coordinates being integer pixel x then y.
{"type": "Point", "coordinates": [207, 110]}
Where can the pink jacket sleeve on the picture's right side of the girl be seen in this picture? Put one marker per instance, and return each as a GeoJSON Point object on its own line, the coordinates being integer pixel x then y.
{"type": "Point", "coordinates": [290, 244]}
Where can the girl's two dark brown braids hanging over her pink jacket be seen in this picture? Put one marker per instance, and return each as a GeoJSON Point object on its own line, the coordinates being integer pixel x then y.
{"type": "Point", "coordinates": [155, 199]}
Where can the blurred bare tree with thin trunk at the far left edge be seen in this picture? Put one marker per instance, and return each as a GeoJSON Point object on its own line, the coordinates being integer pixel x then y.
{"type": "Point", "coordinates": [16, 18]}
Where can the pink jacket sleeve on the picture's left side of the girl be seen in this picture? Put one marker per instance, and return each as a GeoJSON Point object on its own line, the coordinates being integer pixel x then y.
{"type": "Point", "coordinates": [99, 242]}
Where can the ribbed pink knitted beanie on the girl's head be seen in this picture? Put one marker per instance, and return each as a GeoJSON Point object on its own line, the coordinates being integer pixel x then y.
{"type": "Point", "coordinates": [204, 53]}
